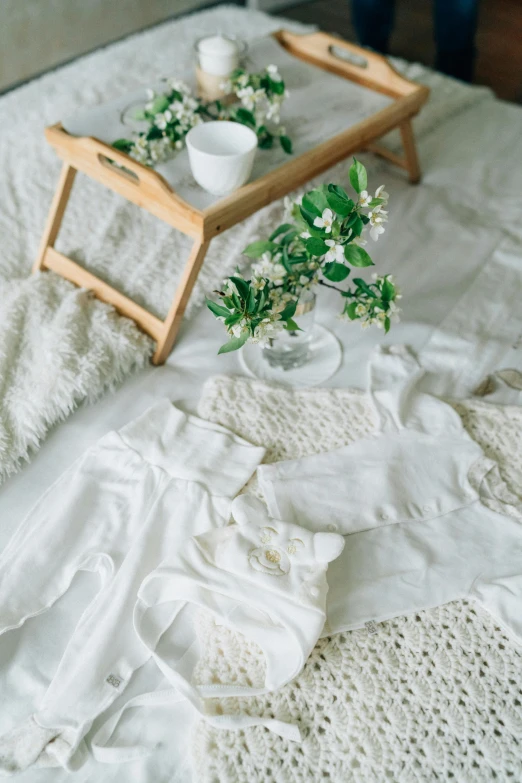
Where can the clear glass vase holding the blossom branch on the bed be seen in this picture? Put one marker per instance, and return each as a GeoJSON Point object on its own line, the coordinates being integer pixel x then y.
{"type": "Point", "coordinates": [292, 349]}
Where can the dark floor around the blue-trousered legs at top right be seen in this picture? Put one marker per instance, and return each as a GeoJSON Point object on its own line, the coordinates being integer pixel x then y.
{"type": "Point", "coordinates": [499, 37]}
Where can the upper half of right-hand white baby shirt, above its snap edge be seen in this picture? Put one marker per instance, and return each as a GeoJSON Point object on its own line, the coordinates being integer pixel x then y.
{"type": "Point", "coordinates": [389, 476]}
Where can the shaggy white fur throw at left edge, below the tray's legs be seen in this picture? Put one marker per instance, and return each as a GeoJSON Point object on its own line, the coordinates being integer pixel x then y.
{"type": "Point", "coordinates": [58, 346]}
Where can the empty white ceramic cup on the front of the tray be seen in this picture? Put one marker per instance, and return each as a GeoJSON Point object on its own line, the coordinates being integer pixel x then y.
{"type": "Point", "coordinates": [221, 155]}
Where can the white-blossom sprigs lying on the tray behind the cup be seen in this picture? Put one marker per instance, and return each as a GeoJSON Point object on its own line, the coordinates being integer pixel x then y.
{"type": "Point", "coordinates": [172, 113]}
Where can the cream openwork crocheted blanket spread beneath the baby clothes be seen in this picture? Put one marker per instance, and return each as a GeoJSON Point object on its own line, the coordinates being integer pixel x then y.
{"type": "Point", "coordinates": [432, 696]}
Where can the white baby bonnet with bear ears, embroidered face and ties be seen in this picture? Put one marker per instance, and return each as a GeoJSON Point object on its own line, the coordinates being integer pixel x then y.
{"type": "Point", "coordinates": [261, 577]}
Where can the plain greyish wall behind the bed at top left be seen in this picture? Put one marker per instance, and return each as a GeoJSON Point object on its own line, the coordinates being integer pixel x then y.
{"type": "Point", "coordinates": [38, 34]}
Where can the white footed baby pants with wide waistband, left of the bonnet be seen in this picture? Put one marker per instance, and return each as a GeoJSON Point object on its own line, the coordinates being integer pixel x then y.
{"type": "Point", "coordinates": [118, 511]}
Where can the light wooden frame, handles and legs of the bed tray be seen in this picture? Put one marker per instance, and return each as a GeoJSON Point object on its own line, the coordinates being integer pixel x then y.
{"type": "Point", "coordinates": [148, 189]}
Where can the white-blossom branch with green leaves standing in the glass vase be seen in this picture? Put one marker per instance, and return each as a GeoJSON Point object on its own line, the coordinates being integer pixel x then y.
{"type": "Point", "coordinates": [322, 241]}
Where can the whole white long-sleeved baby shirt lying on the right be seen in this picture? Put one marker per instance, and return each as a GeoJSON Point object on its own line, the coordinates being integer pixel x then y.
{"type": "Point", "coordinates": [426, 516]}
